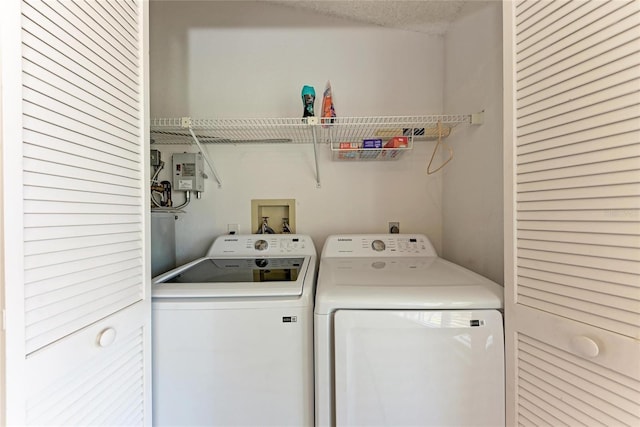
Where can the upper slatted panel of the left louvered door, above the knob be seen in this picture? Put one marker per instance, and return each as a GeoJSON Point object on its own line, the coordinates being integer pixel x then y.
{"type": "Point", "coordinates": [83, 199]}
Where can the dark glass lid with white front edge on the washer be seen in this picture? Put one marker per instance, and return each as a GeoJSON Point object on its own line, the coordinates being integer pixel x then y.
{"type": "Point", "coordinates": [234, 277]}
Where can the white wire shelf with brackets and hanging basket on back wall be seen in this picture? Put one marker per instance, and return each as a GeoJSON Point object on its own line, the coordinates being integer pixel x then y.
{"type": "Point", "coordinates": [312, 130]}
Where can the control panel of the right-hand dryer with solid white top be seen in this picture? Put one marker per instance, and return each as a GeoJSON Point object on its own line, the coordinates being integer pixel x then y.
{"type": "Point", "coordinates": [378, 245]}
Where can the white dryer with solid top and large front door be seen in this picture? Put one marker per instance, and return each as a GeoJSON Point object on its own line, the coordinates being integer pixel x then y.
{"type": "Point", "coordinates": [405, 338]}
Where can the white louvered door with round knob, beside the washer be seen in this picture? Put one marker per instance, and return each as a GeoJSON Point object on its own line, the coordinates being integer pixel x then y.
{"type": "Point", "coordinates": [82, 310]}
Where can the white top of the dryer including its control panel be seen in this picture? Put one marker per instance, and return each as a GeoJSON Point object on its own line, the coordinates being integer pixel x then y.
{"type": "Point", "coordinates": [355, 273]}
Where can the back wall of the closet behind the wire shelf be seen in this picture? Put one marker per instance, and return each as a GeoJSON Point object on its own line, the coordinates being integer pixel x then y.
{"type": "Point", "coordinates": [249, 59]}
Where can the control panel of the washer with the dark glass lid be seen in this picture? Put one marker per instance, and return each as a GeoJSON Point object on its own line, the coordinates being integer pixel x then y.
{"type": "Point", "coordinates": [262, 245]}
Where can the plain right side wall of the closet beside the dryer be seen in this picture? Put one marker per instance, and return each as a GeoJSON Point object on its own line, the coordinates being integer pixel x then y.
{"type": "Point", "coordinates": [472, 183]}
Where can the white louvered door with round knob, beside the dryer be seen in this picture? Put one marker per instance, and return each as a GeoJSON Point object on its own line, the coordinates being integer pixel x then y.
{"type": "Point", "coordinates": [572, 197]}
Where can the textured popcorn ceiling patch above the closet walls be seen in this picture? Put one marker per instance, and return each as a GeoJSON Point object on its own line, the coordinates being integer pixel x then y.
{"type": "Point", "coordinates": [427, 16]}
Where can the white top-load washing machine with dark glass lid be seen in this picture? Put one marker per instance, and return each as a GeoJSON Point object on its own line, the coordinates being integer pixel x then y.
{"type": "Point", "coordinates": [233, 335]}
